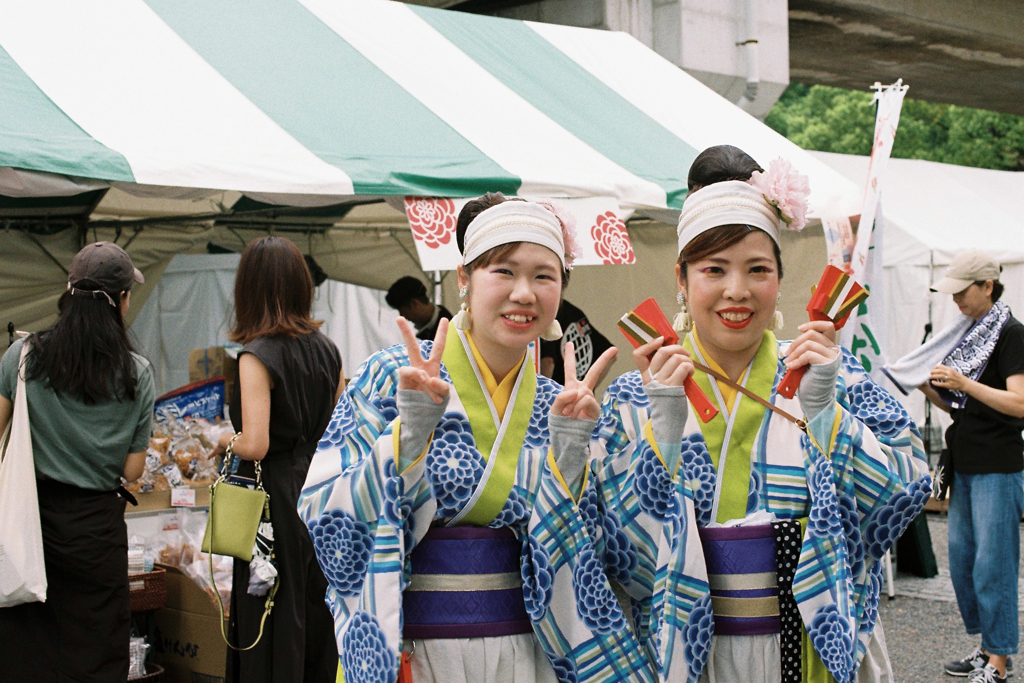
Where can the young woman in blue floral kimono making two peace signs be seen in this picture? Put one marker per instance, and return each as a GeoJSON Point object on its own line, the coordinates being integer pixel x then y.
{"type": "Point", "coordinates": [438, 501]}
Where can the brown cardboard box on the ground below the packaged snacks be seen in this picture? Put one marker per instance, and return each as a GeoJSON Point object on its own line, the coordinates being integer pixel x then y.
{"type": "Point", "coordinates": [188, 635]}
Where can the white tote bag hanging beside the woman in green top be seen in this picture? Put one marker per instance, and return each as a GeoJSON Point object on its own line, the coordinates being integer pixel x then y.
{"type": "Point", "coordinates": [23, 575]}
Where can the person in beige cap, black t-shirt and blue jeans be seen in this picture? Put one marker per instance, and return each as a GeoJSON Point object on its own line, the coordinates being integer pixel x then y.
{"type": "Point", "coordinates": [982, 385]}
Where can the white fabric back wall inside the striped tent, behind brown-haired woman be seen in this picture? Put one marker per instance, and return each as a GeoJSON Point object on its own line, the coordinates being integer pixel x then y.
{"type": "Point", "coordinates": [191, 308]}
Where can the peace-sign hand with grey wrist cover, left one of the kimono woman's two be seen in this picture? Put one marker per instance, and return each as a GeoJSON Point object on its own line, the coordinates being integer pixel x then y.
{"type": "Point", "coordinates": [422, 395]}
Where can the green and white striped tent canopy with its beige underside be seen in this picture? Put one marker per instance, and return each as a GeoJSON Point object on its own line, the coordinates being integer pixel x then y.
{"type": "Point", "coordinates": [158, 110]}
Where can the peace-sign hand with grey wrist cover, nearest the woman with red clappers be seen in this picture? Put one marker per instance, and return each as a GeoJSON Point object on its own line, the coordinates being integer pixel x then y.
{"type": "Point", "coordinates": [574, 416]}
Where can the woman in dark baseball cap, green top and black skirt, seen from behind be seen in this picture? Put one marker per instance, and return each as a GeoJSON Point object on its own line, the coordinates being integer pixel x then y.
{"type": "Point", "coordinates": [91, 407]}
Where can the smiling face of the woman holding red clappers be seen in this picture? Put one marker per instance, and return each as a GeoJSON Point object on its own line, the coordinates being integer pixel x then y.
{"type": "Point", "coordinates": [732, 295]}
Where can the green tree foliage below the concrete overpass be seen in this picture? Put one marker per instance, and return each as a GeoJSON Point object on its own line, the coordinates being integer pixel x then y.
{"type": "Point", "coordinates": [828, 119]}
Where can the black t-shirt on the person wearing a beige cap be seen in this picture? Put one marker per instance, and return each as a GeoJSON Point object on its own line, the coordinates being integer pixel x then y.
{"type": "Point", "coordinates": [982, 440]}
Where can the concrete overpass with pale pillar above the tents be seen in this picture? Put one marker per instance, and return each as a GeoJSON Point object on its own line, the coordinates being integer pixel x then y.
{"type": "Point", "coordinates": [962, 53]}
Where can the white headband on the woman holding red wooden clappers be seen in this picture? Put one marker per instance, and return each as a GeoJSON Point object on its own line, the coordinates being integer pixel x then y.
{"type": "Point", "coordinates": [728, 203]}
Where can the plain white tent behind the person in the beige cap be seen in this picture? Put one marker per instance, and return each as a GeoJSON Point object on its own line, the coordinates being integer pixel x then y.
{"type": "Point", "coordinates": [932, 212]}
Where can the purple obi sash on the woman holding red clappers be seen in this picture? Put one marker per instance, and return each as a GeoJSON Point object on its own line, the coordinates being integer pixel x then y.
{"type": "Point", "coordinates": [743, 574]}
